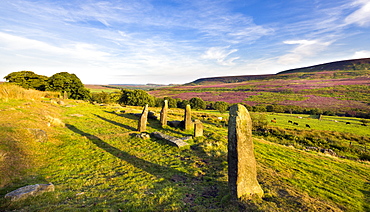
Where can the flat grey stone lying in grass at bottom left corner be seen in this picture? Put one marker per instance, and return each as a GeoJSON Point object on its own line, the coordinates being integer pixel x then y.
{"type": "Point", "coordinates": [30, 190]}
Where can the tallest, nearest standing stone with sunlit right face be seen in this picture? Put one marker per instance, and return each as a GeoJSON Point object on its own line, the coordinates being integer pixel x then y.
{"type": "Point", "coordinates": [242, 163]}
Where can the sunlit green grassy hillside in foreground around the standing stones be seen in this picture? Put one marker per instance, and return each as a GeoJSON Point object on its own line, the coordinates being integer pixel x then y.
{"type": "Point", "coordinates": [97, 164]}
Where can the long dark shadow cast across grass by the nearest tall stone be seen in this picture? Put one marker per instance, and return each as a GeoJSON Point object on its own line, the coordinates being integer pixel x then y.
{"type": "Point", "coordinates": [199, 190]}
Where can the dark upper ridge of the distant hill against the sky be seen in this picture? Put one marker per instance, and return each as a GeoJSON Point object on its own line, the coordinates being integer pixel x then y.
{"type": "Point", "coordinates": [356, 64]}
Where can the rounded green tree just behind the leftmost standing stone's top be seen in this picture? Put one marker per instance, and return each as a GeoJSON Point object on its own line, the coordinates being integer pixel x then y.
{"type": "Point", "coordinates": [136, 98]}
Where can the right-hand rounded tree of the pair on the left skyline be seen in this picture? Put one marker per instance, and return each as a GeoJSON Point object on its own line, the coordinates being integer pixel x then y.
{"type": "Point", "coordinates": [69, 83]}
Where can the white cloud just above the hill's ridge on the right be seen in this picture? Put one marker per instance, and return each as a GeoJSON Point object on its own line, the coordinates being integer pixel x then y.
{"type": "Point", "coordinates": [305, 48]}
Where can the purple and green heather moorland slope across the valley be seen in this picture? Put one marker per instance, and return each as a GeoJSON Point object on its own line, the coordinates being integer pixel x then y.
{"type": "Point", "coordinates": [338, 88]}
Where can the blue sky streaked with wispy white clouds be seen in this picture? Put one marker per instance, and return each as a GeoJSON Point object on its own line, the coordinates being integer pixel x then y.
{"type": "Point", "coordinates": [178, 41]}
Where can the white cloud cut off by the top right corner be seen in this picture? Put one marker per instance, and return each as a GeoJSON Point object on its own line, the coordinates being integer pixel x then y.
{"type": "Point", "coordinates": [360, 16]}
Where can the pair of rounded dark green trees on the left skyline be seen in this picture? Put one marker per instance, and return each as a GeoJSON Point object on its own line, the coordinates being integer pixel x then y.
{"type": "Point", "coordinates": [63, 82]}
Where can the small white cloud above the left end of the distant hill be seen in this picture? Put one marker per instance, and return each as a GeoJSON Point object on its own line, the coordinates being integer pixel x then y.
{"type": "Point", "coordinates": [220, 54]}
